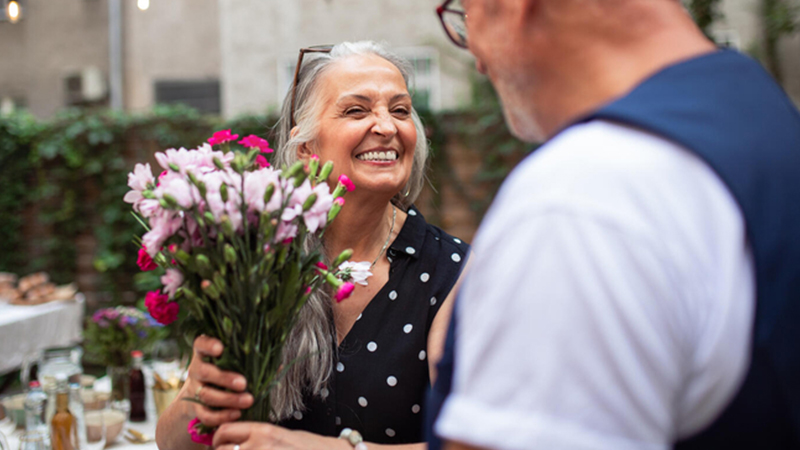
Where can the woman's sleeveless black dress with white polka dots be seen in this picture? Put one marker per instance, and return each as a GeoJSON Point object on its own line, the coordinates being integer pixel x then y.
{"type": "Point", "coordinates": [379, 381]}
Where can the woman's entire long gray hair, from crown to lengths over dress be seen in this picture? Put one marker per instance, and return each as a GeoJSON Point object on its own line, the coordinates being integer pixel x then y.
{"type": "Point", "coordinates": [310, 349]}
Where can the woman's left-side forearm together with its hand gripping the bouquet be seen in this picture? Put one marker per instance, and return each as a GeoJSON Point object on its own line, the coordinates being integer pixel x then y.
{"type": "Point", "coordinates": [171, 430]}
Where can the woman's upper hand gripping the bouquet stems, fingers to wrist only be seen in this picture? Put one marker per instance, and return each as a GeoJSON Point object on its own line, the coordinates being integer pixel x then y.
{"type": "Point", "coordinates": [205, 383]}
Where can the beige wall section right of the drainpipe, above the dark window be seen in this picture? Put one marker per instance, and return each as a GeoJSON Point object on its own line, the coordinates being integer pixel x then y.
{"type": "Point", "coordinates": [172, 40]}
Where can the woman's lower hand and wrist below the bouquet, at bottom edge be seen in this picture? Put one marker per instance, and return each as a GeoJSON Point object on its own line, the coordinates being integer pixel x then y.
{"type": "Point", "coordinates": [264, 436]}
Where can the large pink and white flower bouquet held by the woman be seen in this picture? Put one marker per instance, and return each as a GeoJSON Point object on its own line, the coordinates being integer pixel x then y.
{"type": "Point", "coordinates": [229, 230]}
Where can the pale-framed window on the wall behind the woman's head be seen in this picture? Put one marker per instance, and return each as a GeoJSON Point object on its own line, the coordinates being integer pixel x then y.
{"type": "Point", "coordinates": [425, 90]}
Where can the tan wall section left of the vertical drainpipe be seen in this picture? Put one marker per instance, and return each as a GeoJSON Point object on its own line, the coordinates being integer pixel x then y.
{"type": "Point", "coordinates": [54, 39]}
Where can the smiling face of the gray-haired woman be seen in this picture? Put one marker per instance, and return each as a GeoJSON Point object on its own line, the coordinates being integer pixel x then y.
{"type": "Point", "coordinates": [365, 124]}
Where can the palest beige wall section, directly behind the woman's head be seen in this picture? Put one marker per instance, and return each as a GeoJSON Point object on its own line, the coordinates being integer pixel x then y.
{"type": "Point", "coordinates": [257, 35]}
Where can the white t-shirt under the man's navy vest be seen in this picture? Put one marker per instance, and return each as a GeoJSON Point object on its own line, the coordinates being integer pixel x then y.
{"type": "Point", "coordinates": [610, 301]}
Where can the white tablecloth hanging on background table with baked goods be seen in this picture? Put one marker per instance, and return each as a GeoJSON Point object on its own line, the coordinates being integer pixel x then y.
{"type": "Point", "coordinates": [26, 329]}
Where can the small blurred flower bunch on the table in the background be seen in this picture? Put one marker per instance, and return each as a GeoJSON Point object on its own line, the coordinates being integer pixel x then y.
{"type": "Point", "coordinates": [112, 333]}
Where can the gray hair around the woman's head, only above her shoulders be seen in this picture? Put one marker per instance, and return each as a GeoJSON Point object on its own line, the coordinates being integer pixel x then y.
{"type": "Point", "coordinates": [308, 103]}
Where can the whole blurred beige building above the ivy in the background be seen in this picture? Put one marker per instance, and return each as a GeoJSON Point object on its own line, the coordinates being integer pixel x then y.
{"type": "Point", "coordinates": [234, 57]}
